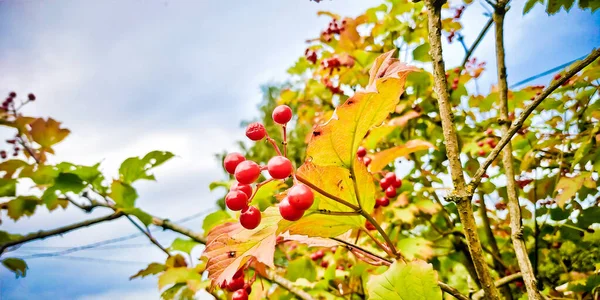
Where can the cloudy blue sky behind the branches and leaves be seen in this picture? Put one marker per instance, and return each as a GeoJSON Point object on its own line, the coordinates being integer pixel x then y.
{"type": "Point", "coordinates": [131, 76]}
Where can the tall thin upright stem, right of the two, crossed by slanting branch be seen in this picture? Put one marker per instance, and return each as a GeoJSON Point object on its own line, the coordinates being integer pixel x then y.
{"type": "Point", "coordinates": [514, 207]}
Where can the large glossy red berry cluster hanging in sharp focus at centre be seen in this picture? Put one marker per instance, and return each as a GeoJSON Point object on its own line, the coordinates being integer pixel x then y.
{"type": "Point", "coordinates": [299, 197]}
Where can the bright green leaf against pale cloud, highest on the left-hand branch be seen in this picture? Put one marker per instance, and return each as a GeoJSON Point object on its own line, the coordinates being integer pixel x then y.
{"type": "Point", "coordinates": [135, 168]}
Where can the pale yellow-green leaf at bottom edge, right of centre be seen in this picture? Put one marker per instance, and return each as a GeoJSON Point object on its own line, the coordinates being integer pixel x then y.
{"type": "Point", "coordinates": [415, 281]}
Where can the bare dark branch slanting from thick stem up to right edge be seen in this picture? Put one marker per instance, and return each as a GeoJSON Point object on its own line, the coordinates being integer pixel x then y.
{"type": "Point", "coordinates": [523, 116]}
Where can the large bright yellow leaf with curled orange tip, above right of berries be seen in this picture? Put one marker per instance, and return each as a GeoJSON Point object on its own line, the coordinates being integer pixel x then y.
{"type": "Point", "coordinates": [335, 142]}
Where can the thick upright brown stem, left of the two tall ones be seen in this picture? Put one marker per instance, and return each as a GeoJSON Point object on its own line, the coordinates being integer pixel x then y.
{"type": "Point", "coordinates": [459, 195]}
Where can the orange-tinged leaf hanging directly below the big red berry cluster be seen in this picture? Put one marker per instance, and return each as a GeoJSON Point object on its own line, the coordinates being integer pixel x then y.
{"type": "Point", "coordinates": [229, 246]}
